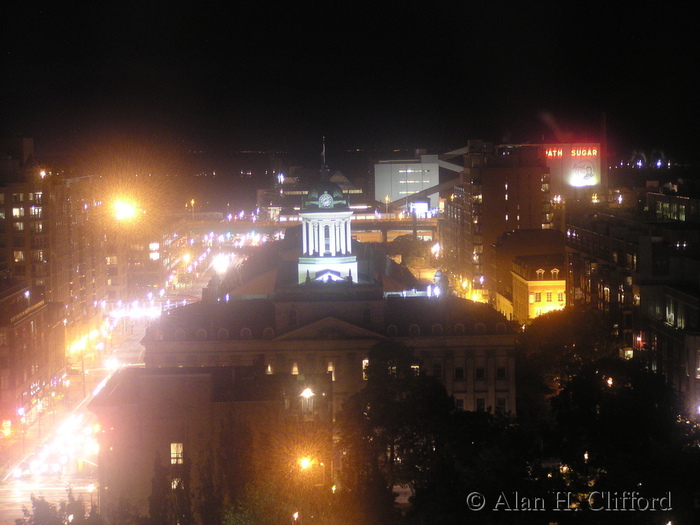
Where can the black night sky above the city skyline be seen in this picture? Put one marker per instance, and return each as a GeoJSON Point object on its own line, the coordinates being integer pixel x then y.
{"type": "Point", "coordinates": [282, 75]}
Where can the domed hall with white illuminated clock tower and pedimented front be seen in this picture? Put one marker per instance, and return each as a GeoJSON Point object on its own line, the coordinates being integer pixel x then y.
{"type": "Point", "coordinates": [288, 338]}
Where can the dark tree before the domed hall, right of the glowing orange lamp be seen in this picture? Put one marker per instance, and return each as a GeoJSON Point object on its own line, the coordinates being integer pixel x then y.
{"type": "Point", "coordinates": [394, 429]}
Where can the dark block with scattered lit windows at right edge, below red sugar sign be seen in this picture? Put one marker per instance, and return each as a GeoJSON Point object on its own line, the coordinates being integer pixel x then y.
{"type": "Point", "coordinates": [642, 270]}
